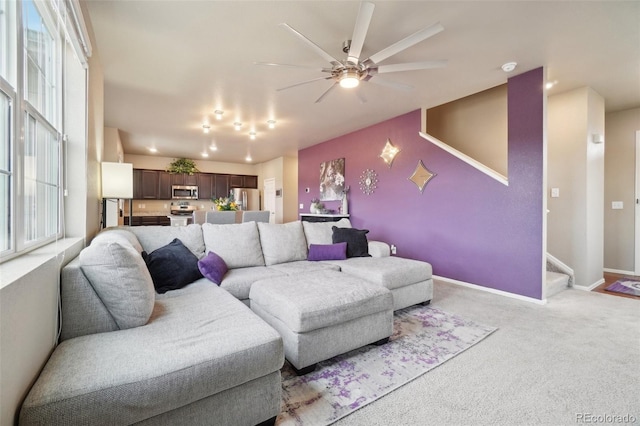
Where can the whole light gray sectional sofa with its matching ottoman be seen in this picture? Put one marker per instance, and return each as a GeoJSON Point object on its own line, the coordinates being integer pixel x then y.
{"type": "Point", "coordinates": [208, 353]}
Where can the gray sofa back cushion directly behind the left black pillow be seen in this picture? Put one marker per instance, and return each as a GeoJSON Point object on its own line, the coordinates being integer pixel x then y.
{"type": "Point", "coordinates": [153, 237]}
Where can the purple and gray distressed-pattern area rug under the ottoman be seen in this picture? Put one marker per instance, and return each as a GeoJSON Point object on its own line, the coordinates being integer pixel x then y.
{"type": "Point", "coordinates": [423, 338]}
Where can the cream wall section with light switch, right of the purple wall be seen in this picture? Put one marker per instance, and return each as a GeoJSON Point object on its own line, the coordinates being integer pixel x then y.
{"type": "Point", "coordinates": [576, 167]}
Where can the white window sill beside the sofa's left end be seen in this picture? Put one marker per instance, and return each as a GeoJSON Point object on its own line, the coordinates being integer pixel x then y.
{"type": "Point", "coordinates": [63, 250]}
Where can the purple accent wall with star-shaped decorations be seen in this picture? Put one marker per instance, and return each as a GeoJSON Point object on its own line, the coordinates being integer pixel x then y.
{"type": "Point", "coordinates": [470, 227]}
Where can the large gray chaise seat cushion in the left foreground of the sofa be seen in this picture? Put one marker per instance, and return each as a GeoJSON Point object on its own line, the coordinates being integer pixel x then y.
{"type": "Point", "coordinates": [191, 348]}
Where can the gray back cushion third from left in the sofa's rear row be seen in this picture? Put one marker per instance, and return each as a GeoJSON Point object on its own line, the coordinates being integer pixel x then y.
{"type": "Point", "coordinates": [282, 243]}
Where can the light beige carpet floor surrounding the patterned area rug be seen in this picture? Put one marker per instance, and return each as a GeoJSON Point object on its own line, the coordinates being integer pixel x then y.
{"type": "Point", "coordinates": [575, 358]}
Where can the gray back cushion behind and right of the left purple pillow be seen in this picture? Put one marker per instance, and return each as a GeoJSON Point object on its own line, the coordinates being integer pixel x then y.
{"type": "Point", "coordinates": [237, 243]}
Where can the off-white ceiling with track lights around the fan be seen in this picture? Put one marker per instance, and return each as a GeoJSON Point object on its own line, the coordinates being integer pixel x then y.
{"type": "Point", "coordinates": [169, 64]}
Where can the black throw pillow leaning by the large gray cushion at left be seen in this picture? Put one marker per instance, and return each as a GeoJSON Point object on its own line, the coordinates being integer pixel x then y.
{"type": "Point", "coordinates": [172, 266]}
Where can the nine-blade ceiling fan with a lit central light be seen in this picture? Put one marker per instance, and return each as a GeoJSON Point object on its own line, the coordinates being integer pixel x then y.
{"type": "Point", "coordinates": [348, 73]}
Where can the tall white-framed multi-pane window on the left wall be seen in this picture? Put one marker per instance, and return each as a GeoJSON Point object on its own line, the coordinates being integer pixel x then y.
{"type": "Point", "coordinates": [34, 59]}
